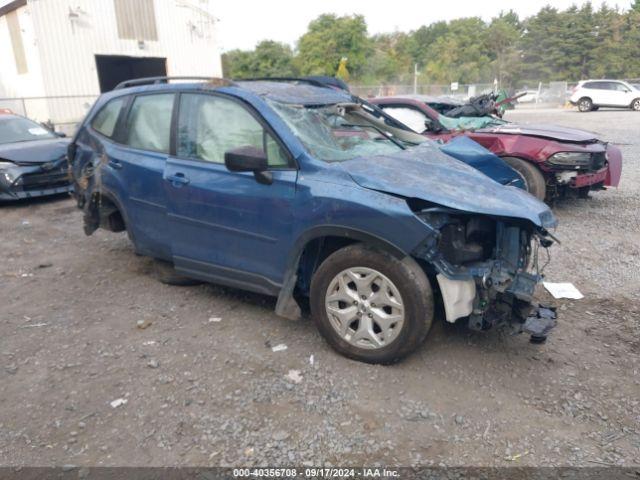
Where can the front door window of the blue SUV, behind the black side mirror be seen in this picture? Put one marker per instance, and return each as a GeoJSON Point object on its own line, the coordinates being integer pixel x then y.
{"type": "Point", "coordinates": [209, 126]}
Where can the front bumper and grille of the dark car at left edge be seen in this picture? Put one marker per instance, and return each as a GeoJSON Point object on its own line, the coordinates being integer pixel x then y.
{"type": "Point", "coordinates": [34, 180]}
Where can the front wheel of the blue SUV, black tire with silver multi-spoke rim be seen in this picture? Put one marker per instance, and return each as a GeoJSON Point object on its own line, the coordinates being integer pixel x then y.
{"type": "Point", "coordinates": [369, 305]}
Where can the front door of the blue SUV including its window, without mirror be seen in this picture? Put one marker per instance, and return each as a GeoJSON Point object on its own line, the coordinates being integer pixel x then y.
{"type": "Point", "coordinates": [225, 226]}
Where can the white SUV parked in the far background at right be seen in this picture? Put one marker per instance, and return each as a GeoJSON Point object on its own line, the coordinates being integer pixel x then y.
{"type": "Point", "coordinates": [592, 94]}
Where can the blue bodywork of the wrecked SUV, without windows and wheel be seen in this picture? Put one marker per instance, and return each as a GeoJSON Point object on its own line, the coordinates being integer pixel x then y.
{"type": "Point", "coordinates": [220, 226]}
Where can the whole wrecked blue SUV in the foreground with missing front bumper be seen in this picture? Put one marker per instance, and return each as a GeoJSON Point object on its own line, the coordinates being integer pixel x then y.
{"type": "Point", "coordinates": [296, 190]}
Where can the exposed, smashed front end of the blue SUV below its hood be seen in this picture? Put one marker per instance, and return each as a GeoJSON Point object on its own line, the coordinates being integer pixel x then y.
{"type": "Point", "coordinates": [498, 289]}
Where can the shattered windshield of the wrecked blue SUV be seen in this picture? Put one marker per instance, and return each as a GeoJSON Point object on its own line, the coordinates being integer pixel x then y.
{"type": "Point", "coordinates": [335, 133]}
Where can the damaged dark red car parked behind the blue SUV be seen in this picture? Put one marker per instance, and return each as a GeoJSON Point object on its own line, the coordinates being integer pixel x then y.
{"type": "Point", "coordinates": [552, 160]}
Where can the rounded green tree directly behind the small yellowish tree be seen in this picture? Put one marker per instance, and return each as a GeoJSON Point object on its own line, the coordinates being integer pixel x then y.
{"type": "Point", "coordinates": [328, 39]}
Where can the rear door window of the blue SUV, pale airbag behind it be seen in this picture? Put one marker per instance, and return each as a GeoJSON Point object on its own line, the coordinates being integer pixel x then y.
{"type": "Point", "coordinates": [149, 122]}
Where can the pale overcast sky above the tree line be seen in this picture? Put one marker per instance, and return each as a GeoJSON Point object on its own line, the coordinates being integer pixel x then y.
{"type": "Point", "coordinates": [245, 23]}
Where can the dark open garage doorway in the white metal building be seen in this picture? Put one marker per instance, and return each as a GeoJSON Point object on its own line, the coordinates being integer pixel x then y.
{"type": "Point", "coordinates": [113, 69]}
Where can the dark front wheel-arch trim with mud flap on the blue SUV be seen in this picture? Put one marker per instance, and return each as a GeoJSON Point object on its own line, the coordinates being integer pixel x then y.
{"type": "Point", "coordinates": [287, 306]}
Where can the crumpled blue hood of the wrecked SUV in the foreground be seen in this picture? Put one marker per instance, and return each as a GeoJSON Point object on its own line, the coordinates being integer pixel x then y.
{"type": "Point", "coordinates": [426, 173]}
